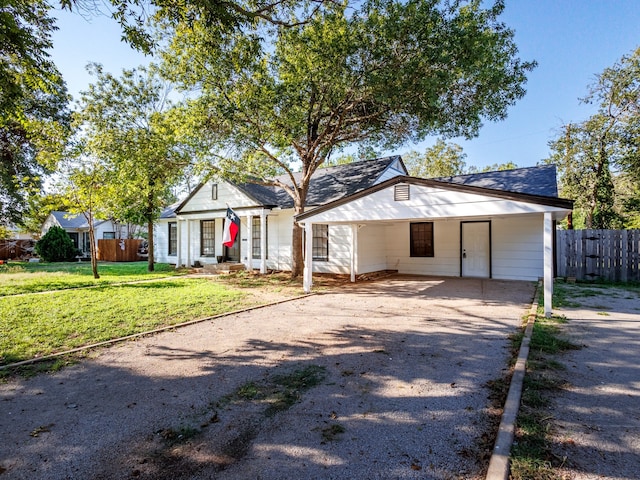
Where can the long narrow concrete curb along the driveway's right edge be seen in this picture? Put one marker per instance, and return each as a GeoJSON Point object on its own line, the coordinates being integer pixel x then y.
{"type": "Point", "coordinates": [499, 463]}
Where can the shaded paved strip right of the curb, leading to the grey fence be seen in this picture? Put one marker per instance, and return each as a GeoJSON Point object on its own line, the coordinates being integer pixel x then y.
{"type": "Point", "coordinates": [597, 416]}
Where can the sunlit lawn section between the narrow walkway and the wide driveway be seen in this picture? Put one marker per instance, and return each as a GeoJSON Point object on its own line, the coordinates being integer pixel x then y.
{"type": "Point", "coordinates": [37, 325]}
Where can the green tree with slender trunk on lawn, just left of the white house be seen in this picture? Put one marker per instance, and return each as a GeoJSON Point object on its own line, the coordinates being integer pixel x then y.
{"type": "Point", "coordinates": [126, 123]}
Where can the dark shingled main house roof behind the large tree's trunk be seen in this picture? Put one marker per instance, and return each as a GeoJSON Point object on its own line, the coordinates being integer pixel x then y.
{"type": "Point", "coordinates": [327, 184]}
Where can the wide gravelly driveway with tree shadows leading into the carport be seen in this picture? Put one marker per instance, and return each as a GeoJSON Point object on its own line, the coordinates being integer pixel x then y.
{"type": "Point", "coordinates": [379, 380]}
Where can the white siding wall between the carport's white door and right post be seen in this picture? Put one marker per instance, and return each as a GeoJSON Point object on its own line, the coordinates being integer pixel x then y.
{"type": "Point", "coordinates": [517, 250]}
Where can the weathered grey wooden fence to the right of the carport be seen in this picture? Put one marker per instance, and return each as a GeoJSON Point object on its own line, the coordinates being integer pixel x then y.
{"type": "Point", "coordinates": [611, 255]}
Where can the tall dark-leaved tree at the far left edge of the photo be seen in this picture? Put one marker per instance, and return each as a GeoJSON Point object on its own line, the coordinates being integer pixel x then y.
{"type": "Point", "coordinates": [33, 104]}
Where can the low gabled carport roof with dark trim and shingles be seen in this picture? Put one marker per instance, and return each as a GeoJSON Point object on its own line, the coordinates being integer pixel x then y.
{"type": "Point", "coordinates": [507, 184]}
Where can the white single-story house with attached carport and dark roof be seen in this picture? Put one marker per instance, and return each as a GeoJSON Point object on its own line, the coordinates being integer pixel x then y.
{"type": "Point", "coordinates": [370, 216]}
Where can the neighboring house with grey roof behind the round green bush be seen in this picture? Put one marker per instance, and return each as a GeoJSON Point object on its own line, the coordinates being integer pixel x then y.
{"type": "Point", "coordinates": [77, 227]}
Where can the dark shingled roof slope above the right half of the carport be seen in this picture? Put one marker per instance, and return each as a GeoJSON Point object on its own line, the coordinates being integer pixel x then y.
{"type": "Point", "coordinates": [540, 180]}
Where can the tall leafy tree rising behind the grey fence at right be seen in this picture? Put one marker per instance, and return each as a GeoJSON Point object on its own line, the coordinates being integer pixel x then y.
{"type": "Point", "coordinates": [604, 150]}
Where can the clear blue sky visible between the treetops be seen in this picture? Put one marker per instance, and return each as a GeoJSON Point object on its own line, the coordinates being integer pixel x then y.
{"type": "Point", "coordinates": [572, 41]}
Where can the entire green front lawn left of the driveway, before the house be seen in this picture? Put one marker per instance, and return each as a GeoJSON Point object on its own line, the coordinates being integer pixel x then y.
{"type": "Point", "coordinates": [50, 308]}
